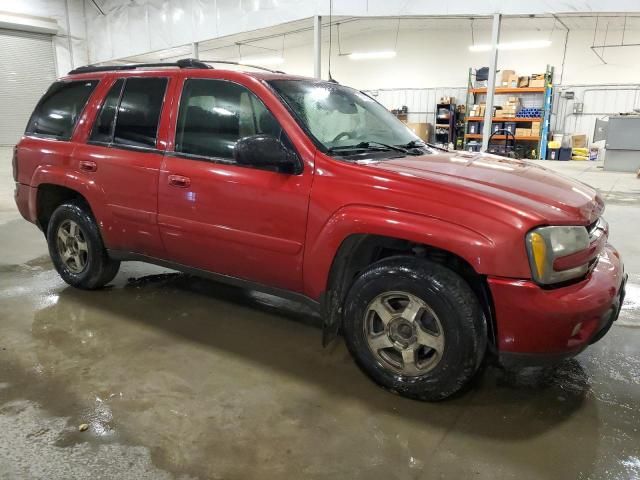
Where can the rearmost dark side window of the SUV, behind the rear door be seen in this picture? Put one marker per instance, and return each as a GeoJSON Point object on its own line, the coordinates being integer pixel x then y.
{"type": "Point", "coordinates": [60, 108]}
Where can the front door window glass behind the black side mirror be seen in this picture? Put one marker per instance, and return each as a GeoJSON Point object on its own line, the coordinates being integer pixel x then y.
{"type": "Point", "coordinates": [215, 114]}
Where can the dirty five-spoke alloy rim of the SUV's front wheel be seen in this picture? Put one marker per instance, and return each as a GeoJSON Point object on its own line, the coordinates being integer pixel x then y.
{"type": "Point", "coordinates": [403, 333]}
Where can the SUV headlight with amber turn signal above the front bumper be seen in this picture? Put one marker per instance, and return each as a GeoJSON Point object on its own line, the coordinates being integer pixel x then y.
{"type": "Point", "coordinates": [546, 244]}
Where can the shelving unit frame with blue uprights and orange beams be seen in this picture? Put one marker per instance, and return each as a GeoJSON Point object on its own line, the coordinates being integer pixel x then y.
{"type": "Point", "coordinates": [545, 106]}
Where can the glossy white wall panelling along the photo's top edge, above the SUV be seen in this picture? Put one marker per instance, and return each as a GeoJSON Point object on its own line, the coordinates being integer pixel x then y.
{"type": "Point", "coordinates": [171, 23]}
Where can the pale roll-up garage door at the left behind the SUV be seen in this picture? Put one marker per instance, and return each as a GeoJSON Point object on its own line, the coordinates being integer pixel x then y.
{"type": "Point", "coordinates": [27, 69]}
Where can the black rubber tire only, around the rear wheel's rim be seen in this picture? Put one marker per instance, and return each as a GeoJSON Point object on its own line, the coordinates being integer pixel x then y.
{"type": "Point", "coordinates": [98, 268]}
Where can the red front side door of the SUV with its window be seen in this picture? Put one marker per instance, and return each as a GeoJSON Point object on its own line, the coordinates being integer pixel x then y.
{"type": "Point", "coordinates": [222, 217]}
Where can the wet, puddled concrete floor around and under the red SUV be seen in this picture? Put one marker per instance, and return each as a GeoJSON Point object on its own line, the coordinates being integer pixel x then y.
{"type": "Point", "coordinates": [179, 377]}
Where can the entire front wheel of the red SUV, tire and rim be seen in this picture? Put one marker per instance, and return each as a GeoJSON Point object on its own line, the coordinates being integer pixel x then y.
{"type": "Point", "coordinates": [415, 327]}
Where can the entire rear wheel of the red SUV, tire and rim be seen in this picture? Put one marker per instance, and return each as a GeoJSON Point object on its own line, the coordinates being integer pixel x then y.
{"type": "Point", "coordinates": [76, 248]}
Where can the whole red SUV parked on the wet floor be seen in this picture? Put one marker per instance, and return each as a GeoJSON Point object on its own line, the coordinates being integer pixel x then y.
{"type": "Point", "coordinates": [425, 259]}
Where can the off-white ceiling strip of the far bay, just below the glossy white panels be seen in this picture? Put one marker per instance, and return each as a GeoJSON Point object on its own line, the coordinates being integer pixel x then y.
{"type": "Point", "coordinates": [299, 33]}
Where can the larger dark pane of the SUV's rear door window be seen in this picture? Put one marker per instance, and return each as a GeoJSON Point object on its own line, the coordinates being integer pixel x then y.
{"type": "Point", "coordinates": [138, 114]}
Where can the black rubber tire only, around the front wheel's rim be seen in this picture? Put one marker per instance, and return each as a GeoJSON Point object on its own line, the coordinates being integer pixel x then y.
{"type": "Point", "coordinates": [459, 314]}
